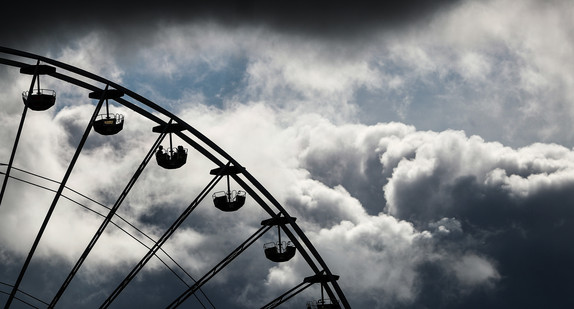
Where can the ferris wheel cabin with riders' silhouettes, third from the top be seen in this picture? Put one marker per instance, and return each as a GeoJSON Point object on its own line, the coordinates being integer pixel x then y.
{"type": "Point", "coordinates": [170, 157]}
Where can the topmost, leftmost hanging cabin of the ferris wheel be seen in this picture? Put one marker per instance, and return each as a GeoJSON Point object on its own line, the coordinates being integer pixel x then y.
{"type": "Point", "coordinates": [38, 99]}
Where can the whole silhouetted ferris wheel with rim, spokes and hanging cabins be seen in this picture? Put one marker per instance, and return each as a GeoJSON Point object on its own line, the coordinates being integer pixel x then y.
{"type": "Point", "coordinates": [240, 190]}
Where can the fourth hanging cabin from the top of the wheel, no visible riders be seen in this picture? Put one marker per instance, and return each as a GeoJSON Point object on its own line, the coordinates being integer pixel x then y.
{"type": "Point", "coordinates": [229, 200]}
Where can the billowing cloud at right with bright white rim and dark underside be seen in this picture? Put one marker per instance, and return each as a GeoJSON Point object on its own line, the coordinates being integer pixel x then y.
{"type": "Point", "coordinates": [513, 207]}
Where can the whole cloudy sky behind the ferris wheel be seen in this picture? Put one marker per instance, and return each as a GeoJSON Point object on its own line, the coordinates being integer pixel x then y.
{"type": "Point", "coordinates": [424, 148]}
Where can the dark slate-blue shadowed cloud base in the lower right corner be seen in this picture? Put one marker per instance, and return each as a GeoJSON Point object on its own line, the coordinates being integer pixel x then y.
{"type": "Point", "coordinates": [526, 238]}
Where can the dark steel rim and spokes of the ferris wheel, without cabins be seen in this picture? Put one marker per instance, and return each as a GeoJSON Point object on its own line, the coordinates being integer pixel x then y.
{"type": "Point", "coordinates": [201, 144]}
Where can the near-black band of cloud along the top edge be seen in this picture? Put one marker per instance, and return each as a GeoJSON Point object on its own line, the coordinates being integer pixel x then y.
{"type": "Point", "coordinates": [56, 22]}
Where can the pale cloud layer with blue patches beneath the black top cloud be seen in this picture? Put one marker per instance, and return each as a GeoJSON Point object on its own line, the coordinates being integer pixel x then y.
{"type": "Point", "coordinates": [470, 65]}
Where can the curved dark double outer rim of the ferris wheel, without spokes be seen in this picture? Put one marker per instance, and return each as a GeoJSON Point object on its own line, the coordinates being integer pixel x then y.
{"type": "Point", "coordinates": [312, 257]}
